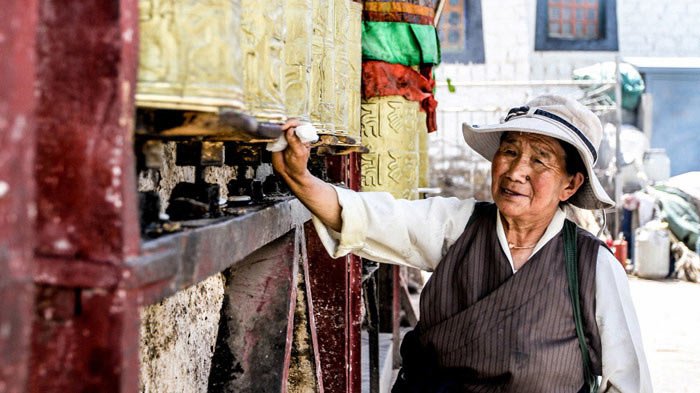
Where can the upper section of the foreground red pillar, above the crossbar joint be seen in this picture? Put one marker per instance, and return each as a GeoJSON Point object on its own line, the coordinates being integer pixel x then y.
{"type": "Point", "coordinates": [84, 164]}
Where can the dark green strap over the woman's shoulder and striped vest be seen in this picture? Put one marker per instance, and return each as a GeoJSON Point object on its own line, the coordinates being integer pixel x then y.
{"type": "Point", "coordinates": [571, 258]}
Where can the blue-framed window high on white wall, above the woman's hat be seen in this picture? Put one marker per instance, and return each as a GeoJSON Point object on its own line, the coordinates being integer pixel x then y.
{"type": "Point", "coordinates": [570, 25]}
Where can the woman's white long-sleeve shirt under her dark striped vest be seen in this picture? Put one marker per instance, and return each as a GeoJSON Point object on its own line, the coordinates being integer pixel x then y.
{"type": "Point", "coordinates": [419, 233]}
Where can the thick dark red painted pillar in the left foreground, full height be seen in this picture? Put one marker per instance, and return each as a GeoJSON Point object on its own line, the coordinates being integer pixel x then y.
{"type": "Point", "coordinates": [85, 334]}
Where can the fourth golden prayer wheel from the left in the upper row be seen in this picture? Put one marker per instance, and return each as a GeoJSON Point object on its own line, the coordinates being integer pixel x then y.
{"type": "Point", "coordinates": [323, 66]}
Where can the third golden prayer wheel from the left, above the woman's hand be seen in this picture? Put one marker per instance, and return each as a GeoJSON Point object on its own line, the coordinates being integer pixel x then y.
{"type": "Point", "coordinates": [297, 77]}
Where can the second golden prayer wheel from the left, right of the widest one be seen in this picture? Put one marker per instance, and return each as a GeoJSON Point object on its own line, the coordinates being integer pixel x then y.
{"type": "Point", "coordinates": [262, 44]}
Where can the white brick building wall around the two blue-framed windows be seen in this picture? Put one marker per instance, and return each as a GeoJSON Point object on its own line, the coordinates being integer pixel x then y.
{"type": "Point", "coordinates": [648, 28]}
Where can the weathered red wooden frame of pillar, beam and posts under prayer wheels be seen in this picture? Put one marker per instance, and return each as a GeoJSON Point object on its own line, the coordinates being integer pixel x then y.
{"type": "Point", "coordinates": [75, 280]}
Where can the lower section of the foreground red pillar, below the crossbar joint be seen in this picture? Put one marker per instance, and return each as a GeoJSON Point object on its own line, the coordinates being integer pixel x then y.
{"type": "Point", "coordinates": [84, 340]}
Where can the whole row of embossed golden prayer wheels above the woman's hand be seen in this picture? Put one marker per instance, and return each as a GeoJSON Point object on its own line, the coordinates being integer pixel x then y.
{"type": "Point", "coordinates": [270, 60]}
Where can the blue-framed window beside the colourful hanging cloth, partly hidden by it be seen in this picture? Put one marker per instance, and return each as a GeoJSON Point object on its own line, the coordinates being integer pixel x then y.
{"type": "Point", "coordinates": [460, 32]}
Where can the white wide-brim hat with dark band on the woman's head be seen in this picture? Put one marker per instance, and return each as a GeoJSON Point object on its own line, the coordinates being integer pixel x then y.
{"type": "Point", "coordinates": [558, 117]}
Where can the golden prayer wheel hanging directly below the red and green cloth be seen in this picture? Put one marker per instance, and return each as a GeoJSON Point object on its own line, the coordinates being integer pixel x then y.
{"type": "Point", "coordinates": [390, 132]}
